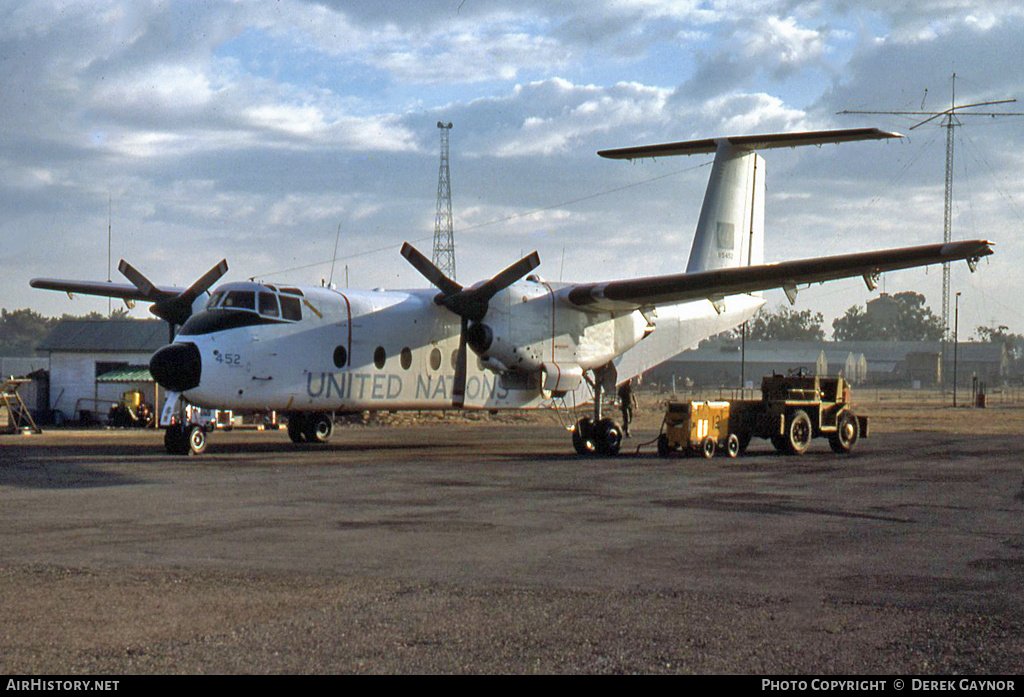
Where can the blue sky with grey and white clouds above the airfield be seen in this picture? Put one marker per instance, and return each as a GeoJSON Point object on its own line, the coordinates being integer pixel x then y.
{"type": "Point", "coordinates": [252, 130]}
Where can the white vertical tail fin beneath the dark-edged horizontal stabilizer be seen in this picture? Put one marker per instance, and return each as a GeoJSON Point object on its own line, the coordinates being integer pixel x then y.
{"type": "Point", "coordinates": [731, 231]}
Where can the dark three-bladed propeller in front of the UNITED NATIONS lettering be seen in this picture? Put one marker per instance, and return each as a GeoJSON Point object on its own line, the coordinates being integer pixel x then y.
{"type": "Point", "coordinates": [471, 304]}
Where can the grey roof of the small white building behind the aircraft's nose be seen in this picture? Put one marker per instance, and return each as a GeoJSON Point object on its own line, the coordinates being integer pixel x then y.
{"type": "Point", "coordinates": [130, 336]}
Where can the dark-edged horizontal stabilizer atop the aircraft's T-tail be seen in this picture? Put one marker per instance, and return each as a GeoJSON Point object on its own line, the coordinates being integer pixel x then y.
{"type": "Point", "coordinates": [749, 143]}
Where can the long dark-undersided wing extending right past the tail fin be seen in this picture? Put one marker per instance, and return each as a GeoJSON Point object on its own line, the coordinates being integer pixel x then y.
{"type": "Point", "coordinates": [716, 284]}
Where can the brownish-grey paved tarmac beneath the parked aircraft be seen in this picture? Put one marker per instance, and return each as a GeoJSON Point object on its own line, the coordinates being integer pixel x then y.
{"type": "Point", "coordinates": [455, 548]}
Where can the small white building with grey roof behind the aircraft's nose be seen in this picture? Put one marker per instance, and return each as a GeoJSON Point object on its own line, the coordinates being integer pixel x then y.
{"type": "Point", "coordinates": [83, 352]}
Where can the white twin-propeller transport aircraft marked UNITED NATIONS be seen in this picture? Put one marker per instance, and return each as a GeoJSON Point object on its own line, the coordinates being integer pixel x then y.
{"type": "Point", "coordinates": [313, 353]}
